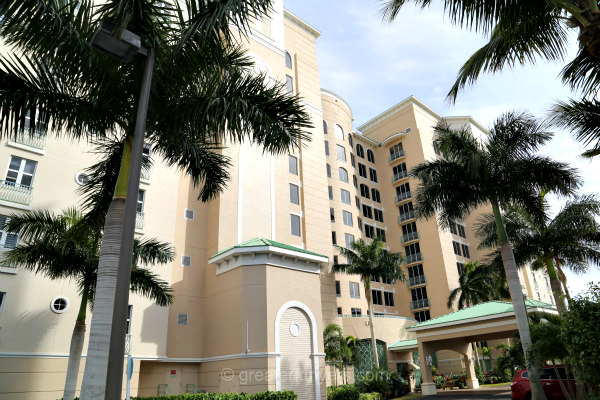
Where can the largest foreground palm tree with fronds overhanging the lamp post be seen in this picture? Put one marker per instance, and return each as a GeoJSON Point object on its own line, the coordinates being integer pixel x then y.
{"type": "Point", "coordinates": [202, 96]}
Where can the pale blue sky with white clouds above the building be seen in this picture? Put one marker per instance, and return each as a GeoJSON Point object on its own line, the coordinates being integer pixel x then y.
{"type": "Point", "coordinates": [374, 65]}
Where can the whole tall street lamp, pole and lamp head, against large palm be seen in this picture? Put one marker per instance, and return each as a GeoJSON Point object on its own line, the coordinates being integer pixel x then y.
{"type": "Point", "coordinates": [124, 47]}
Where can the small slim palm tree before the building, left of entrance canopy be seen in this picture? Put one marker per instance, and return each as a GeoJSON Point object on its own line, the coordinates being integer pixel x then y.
{"type": "Point", "coordinates": [369, 260]}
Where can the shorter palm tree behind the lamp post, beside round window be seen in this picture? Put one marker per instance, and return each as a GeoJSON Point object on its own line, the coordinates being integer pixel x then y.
{"type": "Point", "coordinates": [54, 248]}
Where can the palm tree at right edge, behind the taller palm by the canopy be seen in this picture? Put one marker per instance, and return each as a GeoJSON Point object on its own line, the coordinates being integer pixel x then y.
{"type": "Point", "coordinates": [571, 238]}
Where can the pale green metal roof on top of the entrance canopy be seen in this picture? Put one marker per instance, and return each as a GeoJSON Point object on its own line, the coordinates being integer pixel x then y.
{"type": "Point", "coordinates": [481, 310]}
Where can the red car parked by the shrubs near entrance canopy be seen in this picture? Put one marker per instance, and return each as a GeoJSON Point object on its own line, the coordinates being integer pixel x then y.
{"type": "Point", "coordinates": [522, 391]}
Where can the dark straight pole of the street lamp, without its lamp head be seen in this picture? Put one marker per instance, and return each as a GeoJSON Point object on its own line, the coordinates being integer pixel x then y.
{"type": "Point", "coordinates": [114, 378]}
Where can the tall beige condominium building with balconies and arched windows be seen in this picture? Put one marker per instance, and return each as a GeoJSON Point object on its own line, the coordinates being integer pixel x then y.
{"type": "Point", "coordinates": [251, 277]}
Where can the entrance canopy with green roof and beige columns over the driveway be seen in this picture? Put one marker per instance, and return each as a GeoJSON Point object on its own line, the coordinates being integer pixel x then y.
{"type": "Point", "coordinates": [455, 331]}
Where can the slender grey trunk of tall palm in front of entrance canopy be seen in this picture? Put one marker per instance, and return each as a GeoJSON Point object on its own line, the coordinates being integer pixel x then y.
{"type": "Point", "coordinates": [516, 294]}
